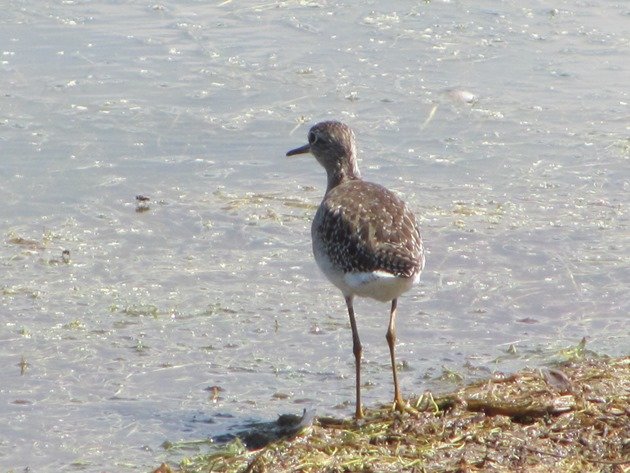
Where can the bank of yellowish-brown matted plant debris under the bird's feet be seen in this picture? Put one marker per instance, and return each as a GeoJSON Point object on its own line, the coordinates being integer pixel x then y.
{"type": "Point", "coordinates": [574, 417]}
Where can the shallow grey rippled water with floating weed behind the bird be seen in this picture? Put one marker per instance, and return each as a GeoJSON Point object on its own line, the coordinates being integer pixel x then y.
{"type": "Point", "coordinates": [505, 128]}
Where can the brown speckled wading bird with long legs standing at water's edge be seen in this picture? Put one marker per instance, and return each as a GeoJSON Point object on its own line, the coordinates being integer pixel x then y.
{"type": "Point", "coordinates": [365, 239]}
